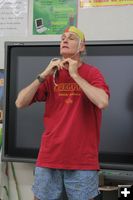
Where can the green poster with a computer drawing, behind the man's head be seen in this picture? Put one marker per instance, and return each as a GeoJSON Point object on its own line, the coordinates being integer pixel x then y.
{"type": "Point", "coordinates": [52, 17]}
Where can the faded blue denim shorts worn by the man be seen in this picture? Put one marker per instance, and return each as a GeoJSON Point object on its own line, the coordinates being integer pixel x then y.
{"type": "Point", "coordinates": [50, 184]}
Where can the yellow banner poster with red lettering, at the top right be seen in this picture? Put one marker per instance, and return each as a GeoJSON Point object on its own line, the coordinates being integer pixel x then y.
{"type": "Point", "coordinates": [100, 3]}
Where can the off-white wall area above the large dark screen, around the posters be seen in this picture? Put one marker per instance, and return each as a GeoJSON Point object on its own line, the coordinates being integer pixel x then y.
{"type": "Point", "coordinates": [105, 23]}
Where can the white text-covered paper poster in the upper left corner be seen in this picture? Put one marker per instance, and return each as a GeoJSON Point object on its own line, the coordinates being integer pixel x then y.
{"type": "Point", "coordinates": [13, 17]}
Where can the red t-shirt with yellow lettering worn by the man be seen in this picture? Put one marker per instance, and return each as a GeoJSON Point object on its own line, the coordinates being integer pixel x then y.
{"type": "Point", "coordinates": [72, 122]}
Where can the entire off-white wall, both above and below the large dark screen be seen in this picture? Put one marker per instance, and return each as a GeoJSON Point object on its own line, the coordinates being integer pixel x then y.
{"type": "Point", "coordinates": [106, 23]}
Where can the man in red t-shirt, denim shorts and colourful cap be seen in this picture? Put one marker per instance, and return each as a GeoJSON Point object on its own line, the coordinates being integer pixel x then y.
{"type": "Point", "coordinates": [75, 94]}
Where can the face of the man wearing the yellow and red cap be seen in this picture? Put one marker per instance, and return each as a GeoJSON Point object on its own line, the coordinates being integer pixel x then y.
{"type": "Point", "coordinates": [69, 44]}
